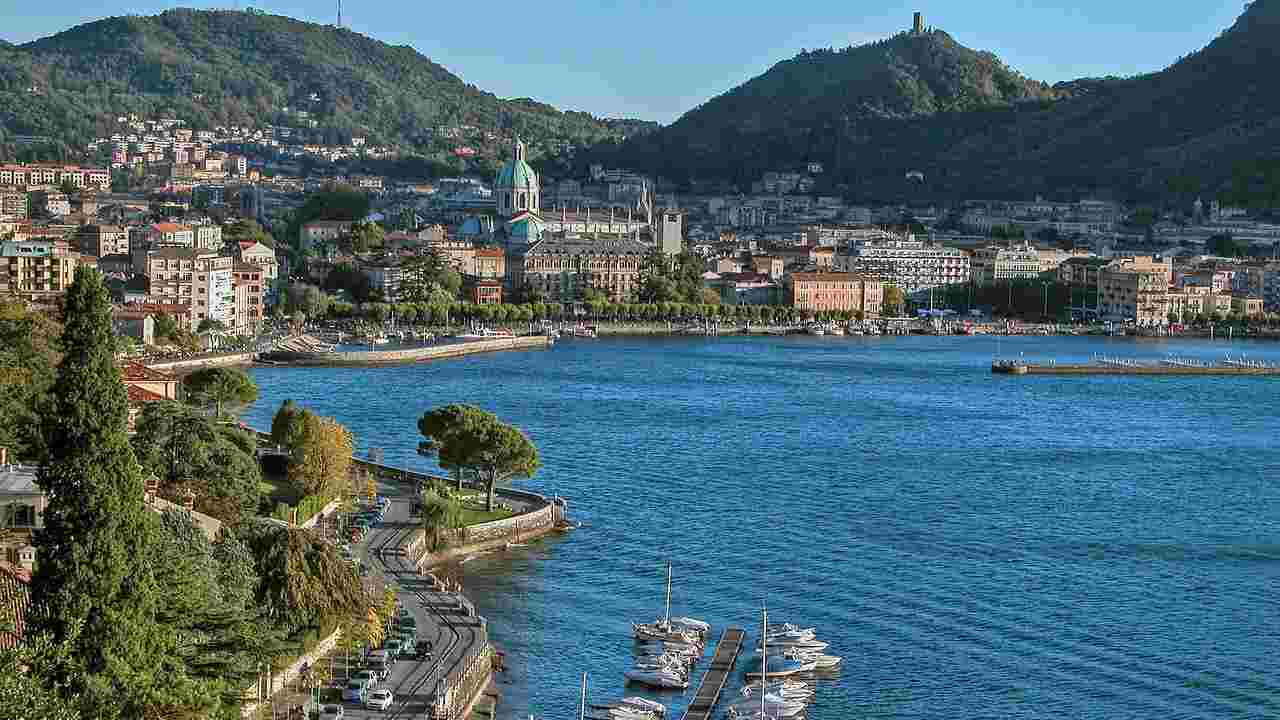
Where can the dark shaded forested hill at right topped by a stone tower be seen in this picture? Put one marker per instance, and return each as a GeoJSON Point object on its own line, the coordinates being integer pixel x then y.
{"type": "Point", "coordinates": [976, 129]}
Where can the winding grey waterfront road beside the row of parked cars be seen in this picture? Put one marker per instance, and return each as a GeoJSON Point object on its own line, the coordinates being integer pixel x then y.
{"type": "Point", "coordinates": [452, 636]}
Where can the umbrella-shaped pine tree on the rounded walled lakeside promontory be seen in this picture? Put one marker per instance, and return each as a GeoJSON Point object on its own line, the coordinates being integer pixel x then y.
{"type": "Point", "coordinates": [465, 438]}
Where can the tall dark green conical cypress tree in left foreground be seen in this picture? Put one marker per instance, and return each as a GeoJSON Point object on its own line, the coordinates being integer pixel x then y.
{"type": "Point", "coordinates": [94, 587]}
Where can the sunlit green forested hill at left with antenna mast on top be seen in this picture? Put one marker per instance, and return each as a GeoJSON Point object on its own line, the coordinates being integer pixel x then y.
{"type": "Point", "coordinates": [226, 67]}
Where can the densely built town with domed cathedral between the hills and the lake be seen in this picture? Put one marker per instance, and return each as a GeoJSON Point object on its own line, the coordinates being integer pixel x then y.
{"type": "Point", "coordinates": [216, 240]}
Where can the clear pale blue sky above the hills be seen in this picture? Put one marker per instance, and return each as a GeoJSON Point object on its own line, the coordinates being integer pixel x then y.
{"type": "Point", "coordinates": [656, 60]}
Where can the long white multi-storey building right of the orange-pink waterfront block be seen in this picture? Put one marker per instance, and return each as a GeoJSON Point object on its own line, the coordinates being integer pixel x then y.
{"type": "Point", "coordinates": [911, 265]}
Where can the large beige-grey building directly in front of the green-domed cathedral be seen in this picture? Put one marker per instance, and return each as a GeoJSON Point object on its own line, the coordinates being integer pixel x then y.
{"type": "Point", "coordinates": [565, 267]}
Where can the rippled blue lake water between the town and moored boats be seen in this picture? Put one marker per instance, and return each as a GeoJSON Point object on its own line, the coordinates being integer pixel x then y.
{"type": "Point", "coordinates": [973, 546]}
